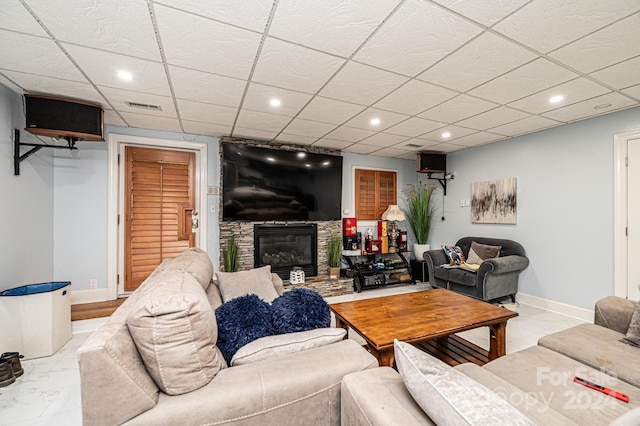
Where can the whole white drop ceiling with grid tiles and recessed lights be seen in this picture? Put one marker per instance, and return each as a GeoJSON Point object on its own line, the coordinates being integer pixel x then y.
{"type": "Point", "coordinates": [436, 75]}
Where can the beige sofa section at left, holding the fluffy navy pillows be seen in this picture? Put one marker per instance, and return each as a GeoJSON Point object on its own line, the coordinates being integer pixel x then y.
{"type": "Point", "coordinates": [154, 362]}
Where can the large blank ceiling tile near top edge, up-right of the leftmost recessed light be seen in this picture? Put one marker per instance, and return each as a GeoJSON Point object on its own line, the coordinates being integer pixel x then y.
{"type": "Point", "coordinates": [194, 42]}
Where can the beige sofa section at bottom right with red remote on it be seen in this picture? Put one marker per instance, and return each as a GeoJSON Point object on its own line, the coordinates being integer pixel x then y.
{"type": "Point", "coordinates": [537, 381]}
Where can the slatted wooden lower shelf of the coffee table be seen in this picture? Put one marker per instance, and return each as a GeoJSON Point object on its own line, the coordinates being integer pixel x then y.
{"type": "Point", "coordinates": [454, 350]}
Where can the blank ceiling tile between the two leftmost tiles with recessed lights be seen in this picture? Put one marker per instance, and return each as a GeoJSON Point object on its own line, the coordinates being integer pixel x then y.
{"type": "Point", "coordinates": [204, 87]}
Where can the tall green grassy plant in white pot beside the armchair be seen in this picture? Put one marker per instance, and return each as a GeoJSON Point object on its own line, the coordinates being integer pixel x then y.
{"type": "Point", "coordinates": [419, 213]}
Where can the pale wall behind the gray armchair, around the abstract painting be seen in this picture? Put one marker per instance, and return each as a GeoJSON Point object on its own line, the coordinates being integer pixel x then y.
{"type": "Point", "coordinates": [565, 204]}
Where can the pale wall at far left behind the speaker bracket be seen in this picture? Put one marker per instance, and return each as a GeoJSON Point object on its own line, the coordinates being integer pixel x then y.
{"type": "Point", "coordinates": [26, 215]}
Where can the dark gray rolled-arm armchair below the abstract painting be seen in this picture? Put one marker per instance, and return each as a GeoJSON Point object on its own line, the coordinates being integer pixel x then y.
{"type": "Point", "coordinates": [494, 279]}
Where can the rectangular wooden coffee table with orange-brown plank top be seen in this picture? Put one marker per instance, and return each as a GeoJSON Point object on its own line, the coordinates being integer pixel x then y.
{"type": "Point", "coordinates": [427, 319]}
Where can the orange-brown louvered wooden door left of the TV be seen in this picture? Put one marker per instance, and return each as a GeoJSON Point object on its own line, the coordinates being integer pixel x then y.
{"type": "Point", "coordinates": [159, 199]}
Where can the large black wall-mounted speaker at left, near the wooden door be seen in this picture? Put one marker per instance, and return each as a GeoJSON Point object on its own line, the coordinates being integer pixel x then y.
{"type": "Point", "coordinates": [67, 118]}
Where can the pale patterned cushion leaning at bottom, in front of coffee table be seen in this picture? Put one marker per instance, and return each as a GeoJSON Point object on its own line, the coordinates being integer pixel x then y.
{"type": "Point", "coordinates": [448, 396]}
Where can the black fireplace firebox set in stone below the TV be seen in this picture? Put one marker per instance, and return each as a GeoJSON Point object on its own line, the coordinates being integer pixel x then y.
{"type": "Point", "coordinates": [284, 246]}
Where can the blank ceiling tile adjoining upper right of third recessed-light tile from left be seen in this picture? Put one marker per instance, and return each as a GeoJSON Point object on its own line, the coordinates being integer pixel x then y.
{"type": "Point", "coordinates": [414, 97]}
